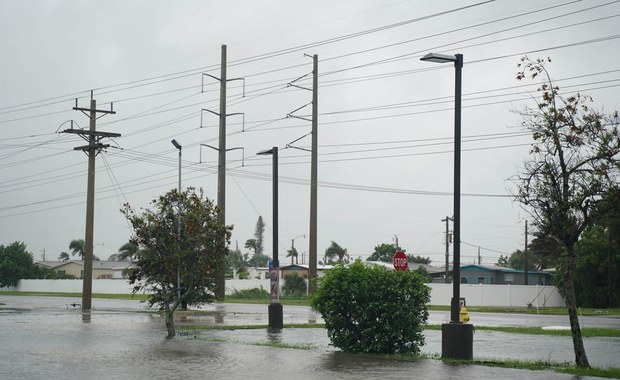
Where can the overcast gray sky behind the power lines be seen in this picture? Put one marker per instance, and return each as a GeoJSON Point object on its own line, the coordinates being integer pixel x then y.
{"type": "Point", "coordinates": [385, 117]}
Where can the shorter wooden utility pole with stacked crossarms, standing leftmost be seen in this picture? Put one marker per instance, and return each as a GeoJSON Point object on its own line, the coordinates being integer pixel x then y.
{"type": "Point", "coordinates": [92, 149]}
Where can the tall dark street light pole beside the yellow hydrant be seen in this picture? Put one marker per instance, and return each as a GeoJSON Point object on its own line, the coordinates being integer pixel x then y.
{"type": "Point", "coordinates": [457, 338]}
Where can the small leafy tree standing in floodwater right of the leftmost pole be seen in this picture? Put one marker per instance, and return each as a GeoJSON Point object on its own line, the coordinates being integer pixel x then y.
{"type": "Point", "coordinates": [177, 265]}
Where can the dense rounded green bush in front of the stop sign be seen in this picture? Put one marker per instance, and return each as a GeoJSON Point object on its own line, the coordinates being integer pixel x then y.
{"type": "Point", "coordinates": [371, 309]}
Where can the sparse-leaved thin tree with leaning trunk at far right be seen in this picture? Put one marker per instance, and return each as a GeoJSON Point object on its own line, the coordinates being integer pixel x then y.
{"type": "Point", "coordinates": [574, 163]}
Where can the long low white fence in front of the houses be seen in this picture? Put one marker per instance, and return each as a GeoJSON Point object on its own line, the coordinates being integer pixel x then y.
{"type": "Point", "coordinates": [475, 294]}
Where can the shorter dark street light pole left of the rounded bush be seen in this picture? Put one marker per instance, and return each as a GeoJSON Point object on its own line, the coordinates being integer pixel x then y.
{"type": "Point", "coordinates": [275, 307]}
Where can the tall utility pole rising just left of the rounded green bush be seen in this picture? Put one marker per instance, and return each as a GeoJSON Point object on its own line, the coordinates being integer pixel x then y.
{"type": "Point", "coordinates": [312, 268]}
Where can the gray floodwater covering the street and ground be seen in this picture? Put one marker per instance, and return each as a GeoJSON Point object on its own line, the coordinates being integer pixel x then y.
{"type": "Point", "coordinates": [50, 339]}
